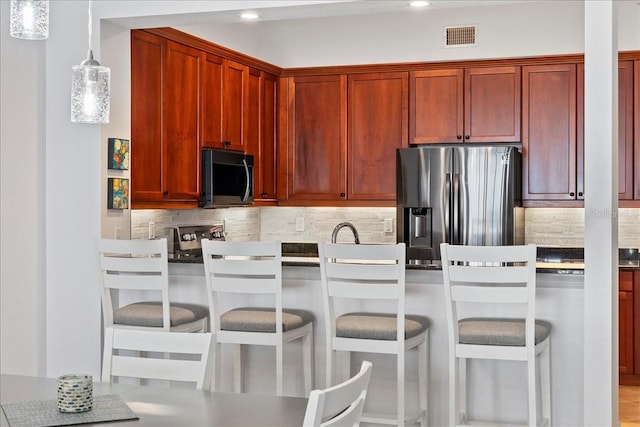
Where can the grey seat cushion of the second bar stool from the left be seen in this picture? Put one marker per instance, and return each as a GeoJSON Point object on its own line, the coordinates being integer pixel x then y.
{"type": "Point", "coordinates": [263, 319]}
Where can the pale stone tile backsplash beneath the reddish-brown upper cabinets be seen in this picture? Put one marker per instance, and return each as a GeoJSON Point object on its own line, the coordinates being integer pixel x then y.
{"type": "Point", "coordinates": [543, 226]}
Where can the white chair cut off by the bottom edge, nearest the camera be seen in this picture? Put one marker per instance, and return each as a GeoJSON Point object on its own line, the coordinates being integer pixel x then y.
{"type": "Point", "coordinates": [340, 405]}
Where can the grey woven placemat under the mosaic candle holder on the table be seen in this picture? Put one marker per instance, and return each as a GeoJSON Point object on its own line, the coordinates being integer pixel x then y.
{"type": "Point", "coordinates": [44, 413]}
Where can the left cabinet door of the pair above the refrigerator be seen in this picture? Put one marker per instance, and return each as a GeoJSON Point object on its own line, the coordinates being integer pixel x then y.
{"type": "Point", "coordinates": [436, 106]}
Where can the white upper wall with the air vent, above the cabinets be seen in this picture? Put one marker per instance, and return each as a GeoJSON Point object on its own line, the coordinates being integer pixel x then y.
{"type": "Point", "coordinates": [517, 30]}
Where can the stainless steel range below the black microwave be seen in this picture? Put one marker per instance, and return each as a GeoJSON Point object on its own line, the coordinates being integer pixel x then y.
{"type": "Point", "coordinates": [185, 241]}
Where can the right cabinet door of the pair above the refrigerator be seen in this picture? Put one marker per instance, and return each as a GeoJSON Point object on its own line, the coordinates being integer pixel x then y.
{"type": "Point", "coordinates": [492, 104]}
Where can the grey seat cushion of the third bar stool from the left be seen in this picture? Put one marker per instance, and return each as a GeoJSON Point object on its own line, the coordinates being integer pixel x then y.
{"type": "Point", "coordinates": [378, 326]}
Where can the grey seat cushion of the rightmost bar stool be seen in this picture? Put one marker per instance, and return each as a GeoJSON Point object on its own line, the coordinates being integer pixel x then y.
{"type": "Point", "coordinates": [494, 331]}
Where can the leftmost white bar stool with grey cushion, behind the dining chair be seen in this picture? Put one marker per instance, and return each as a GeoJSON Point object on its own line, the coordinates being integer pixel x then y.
{"type": "Point", "coordinates": [142, 265]}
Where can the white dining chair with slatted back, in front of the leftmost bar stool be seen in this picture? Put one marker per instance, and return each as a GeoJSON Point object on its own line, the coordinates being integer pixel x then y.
{"type": "Point", "coordinates": [117, 363]}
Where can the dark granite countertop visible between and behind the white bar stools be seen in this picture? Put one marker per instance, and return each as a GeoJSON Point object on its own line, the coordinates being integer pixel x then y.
{"type": "Point", "coordinates": [550, 259]}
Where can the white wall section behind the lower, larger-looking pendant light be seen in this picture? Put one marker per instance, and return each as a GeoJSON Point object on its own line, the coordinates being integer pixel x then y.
{"type": "Point", "coordinates": [72, 203]}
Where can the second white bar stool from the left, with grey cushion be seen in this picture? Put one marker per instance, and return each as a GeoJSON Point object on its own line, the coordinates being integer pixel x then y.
{"type": "Point", "coordinates": [236, 268]}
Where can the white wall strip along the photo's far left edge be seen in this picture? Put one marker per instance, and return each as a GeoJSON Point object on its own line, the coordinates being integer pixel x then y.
{"type": "Point", "coordinates": [22, 65]}
